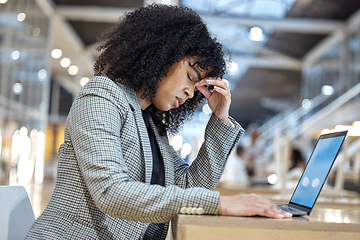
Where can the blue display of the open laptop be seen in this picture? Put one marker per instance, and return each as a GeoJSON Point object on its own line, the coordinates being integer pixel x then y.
{"type": "Point", "coordinates": [316, 171]}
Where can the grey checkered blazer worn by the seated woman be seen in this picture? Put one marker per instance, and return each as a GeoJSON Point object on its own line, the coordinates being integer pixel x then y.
{"type": "Point", "coordinates": [103, 186]}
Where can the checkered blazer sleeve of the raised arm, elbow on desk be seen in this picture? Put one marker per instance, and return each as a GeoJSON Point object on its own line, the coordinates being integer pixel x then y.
{"type": "Point", "coordinates": [206, 169]}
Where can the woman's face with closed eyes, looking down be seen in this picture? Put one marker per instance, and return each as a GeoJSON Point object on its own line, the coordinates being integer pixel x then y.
{"type": "Point", "coordinates": [178, 85]}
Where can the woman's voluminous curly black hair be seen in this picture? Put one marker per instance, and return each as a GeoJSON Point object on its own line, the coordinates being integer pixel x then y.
{"type": "Point", "coordinates": [145, 43]}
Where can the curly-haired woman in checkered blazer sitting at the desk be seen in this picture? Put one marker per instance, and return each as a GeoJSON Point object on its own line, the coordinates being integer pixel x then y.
{"type": "Point", "coordinates": [118, 177]}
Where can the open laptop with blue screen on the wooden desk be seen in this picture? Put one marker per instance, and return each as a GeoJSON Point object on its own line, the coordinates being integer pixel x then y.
{"type": "Point", "coordinates": [315, 173]}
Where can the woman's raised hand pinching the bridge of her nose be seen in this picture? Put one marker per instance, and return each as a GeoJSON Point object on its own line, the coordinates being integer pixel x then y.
{"type": "Point", "coordinates": [219, 100]}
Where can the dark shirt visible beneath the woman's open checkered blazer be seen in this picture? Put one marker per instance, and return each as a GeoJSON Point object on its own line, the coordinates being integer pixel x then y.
{"type": "Point", "coordinates": [157, 176]}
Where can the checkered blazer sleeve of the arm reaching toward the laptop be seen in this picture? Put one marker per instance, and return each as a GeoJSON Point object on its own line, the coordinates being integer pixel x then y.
{"type": "Point", "coordinates": [94, 125]}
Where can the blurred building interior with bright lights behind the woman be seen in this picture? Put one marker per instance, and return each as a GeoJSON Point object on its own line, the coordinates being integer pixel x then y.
{"type": "Point", "coordinates": [293, 71]}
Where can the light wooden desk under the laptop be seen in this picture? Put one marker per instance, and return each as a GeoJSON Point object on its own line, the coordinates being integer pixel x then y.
{"type": "Point", "coordinates": [321, 224]}
